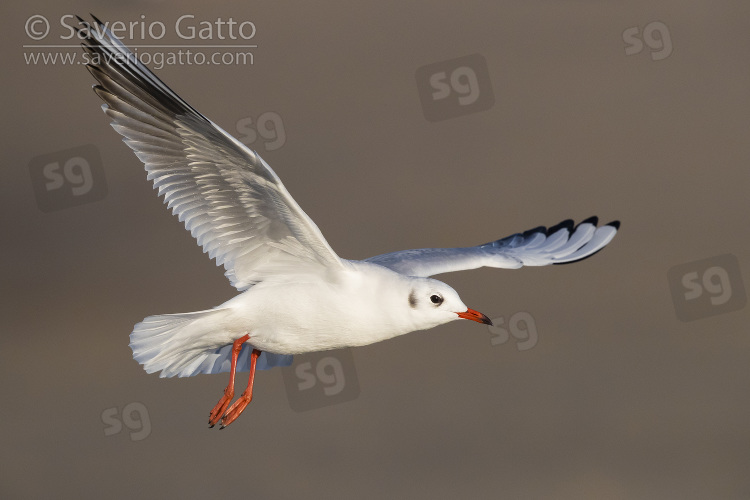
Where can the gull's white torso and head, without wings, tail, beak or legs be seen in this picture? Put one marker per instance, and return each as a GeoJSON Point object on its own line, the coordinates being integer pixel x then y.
{"type": "Point", "coordinates": [356, 306]}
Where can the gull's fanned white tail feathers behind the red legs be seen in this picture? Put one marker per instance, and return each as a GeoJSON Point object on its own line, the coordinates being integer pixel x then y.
{"type": "Point", "coordinates": [184, 345]}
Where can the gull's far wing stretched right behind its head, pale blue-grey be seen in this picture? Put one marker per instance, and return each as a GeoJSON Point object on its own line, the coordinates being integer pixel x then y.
{"type": "Point", "coordinates": [560, 244]}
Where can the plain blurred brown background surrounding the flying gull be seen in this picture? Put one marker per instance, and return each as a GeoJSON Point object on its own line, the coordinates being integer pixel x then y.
{"type": "Point", "coordinates": [618, 399]}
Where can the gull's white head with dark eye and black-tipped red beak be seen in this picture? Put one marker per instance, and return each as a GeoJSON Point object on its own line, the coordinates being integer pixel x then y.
{"type": "Point", "coordinates": [432, 302]}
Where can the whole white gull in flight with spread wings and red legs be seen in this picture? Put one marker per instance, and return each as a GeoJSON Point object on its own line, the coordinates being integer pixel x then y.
{"type": "Point", "coordinates": [297, 295]}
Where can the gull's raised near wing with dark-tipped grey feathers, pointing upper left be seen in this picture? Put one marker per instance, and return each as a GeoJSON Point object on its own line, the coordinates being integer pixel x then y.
{"type": "Point", "coordinates": [229, 198]}
